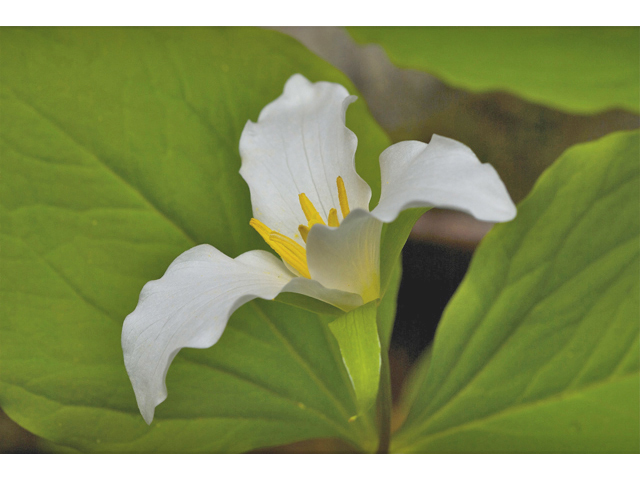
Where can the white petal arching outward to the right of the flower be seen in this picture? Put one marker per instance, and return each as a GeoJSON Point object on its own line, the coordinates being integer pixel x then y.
{"type": "Point", "coordinates": [444, 173]}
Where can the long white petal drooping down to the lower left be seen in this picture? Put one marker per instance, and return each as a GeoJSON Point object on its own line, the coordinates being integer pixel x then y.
{"type": "Point", "coordinates": [189, 307]}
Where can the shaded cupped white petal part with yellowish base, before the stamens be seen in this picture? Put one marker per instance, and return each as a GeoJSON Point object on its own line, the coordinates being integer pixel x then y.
{"type": "Point", "coordinates": [348, 257]}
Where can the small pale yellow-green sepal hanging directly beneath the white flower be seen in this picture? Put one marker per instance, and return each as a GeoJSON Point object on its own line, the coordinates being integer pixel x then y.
{"type": "Point", "coordinates": [357, 336]}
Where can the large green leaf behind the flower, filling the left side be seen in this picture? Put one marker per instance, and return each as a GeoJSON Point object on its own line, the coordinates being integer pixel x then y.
{"type": "Point", "coordinates": [119, 150]}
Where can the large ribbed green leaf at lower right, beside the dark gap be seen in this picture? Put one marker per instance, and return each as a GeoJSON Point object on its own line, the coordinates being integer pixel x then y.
{"type": "Point", "coordinates": [538, 350]}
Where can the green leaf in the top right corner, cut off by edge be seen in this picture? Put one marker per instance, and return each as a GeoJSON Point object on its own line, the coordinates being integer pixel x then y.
{"type": "Point", "coordinates": [581, 70]}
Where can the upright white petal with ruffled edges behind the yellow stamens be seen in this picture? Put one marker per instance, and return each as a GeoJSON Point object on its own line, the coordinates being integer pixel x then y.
{"type": "Point", "coordinates": [300, 144]}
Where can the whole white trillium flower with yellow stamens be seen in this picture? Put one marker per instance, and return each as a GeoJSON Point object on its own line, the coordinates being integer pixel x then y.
{"type": "Point", "coordinates": [312, 208]}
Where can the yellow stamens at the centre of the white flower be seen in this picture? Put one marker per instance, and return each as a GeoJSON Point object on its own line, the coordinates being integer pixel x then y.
{"type": "Point", "coordinates": [291, 251]}
